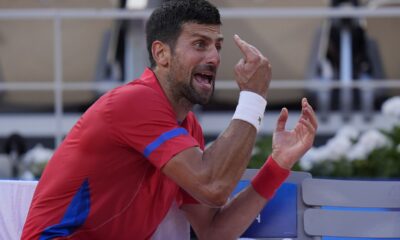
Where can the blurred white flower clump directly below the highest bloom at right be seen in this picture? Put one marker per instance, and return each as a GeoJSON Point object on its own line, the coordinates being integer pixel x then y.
{"type": "Point", "coordinates": [368, 142]}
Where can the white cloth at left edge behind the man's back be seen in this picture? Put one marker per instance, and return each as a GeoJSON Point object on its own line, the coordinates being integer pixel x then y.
{"type": "Point", "coordinates": [15, 199]}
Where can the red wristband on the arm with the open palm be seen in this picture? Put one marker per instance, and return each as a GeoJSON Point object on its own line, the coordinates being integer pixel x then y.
{"type": "Point", "coordinates": [269, 178]}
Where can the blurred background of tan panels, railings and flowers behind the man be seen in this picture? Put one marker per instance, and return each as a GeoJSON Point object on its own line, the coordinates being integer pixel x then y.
{"type": "Point", "coordinates": [58, 57]}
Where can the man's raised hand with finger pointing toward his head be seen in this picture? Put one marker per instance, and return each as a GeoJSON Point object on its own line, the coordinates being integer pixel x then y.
{"type": "Point", "coordinates": [253, 71]}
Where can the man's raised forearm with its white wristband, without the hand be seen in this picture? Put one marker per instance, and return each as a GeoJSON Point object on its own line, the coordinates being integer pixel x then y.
{"type": "Point", "coordinates": [226, 159]}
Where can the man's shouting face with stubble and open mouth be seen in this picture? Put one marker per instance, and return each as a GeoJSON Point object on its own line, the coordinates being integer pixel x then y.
{"type": "Point", "coordinates": [195, 61]}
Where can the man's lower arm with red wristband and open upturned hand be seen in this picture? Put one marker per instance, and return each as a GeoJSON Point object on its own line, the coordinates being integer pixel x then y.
{"type": "Point", "coordinates": [231, 220]}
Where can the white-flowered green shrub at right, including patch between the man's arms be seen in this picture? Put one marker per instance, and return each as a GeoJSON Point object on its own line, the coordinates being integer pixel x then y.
{"type": "Point", "coordinates": [351, 152]}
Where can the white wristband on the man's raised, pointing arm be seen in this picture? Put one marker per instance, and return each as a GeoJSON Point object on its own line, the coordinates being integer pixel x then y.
{"type": "Point", "coordinates": [250, 108]}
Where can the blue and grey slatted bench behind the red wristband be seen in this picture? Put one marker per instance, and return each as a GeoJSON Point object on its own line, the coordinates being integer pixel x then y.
{"type": "Point", "coordinates": [310, 208]}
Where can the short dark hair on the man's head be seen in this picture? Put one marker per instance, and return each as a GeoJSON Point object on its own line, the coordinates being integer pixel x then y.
{"type": "Point", "coordinates": [165, 23]}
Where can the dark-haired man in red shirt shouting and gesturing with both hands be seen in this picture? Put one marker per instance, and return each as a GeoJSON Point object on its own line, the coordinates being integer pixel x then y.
{"type": "Point", "coordinates": [139, 149]}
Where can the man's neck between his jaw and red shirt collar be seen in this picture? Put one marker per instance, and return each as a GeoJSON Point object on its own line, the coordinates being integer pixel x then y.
{"type": "Point", "coordinates": [180, 104]}
